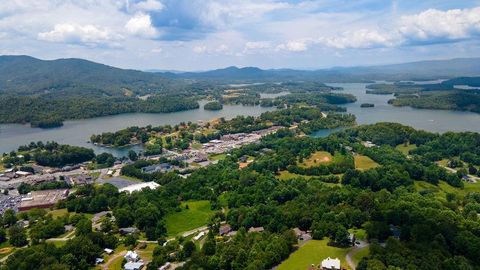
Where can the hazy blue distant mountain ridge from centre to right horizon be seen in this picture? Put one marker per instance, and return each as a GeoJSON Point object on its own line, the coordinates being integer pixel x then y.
{"type": "Point", "coordinates": [421, 70]}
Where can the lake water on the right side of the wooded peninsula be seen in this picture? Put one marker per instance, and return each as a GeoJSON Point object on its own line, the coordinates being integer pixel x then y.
{"type": "Point", "coordinates": [430, 120]}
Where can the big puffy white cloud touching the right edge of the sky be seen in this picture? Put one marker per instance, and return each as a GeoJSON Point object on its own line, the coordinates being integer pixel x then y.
{"type": "Point", "coordinates": [436, 24]}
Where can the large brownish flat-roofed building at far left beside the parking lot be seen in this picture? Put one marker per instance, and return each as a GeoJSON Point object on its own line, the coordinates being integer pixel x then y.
{"type": "Point", "coordinates": [42, 199]}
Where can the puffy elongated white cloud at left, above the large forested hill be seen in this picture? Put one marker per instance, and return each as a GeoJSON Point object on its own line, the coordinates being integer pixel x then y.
{"type": "Point", "coordinates": [77, 34]}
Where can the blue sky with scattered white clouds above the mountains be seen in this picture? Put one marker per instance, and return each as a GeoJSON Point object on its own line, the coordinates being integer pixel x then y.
{"type": "Point", "coordinates": [195, 35]}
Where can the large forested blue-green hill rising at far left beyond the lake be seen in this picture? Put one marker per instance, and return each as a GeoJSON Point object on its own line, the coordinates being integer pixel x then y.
{"type": "Point", "coordinates": [24, 75]}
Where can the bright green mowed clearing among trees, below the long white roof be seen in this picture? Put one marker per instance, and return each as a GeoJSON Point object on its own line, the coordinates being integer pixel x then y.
{"type": "Point", "coordinates": [197, 215]}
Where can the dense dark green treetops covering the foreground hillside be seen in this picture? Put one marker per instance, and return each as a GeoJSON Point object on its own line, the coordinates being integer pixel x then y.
{"type": "Point", "coordinates": [433, 228]}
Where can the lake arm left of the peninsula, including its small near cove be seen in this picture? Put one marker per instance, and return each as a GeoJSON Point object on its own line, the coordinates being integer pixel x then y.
{"type": "Point", "coordinates": [78, 132]}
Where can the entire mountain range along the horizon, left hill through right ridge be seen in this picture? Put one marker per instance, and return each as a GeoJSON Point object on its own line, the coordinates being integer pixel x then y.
{"type": "Point", "coordinates": [26, 75]}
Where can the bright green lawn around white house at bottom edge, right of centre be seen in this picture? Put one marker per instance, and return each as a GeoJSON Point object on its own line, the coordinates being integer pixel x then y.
{"type": "Point", "coordinates": [313, 252]}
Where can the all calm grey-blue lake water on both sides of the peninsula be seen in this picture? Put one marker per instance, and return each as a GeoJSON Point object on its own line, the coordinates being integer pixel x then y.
{"type": "Point", "coordinates": [78, 132]}
